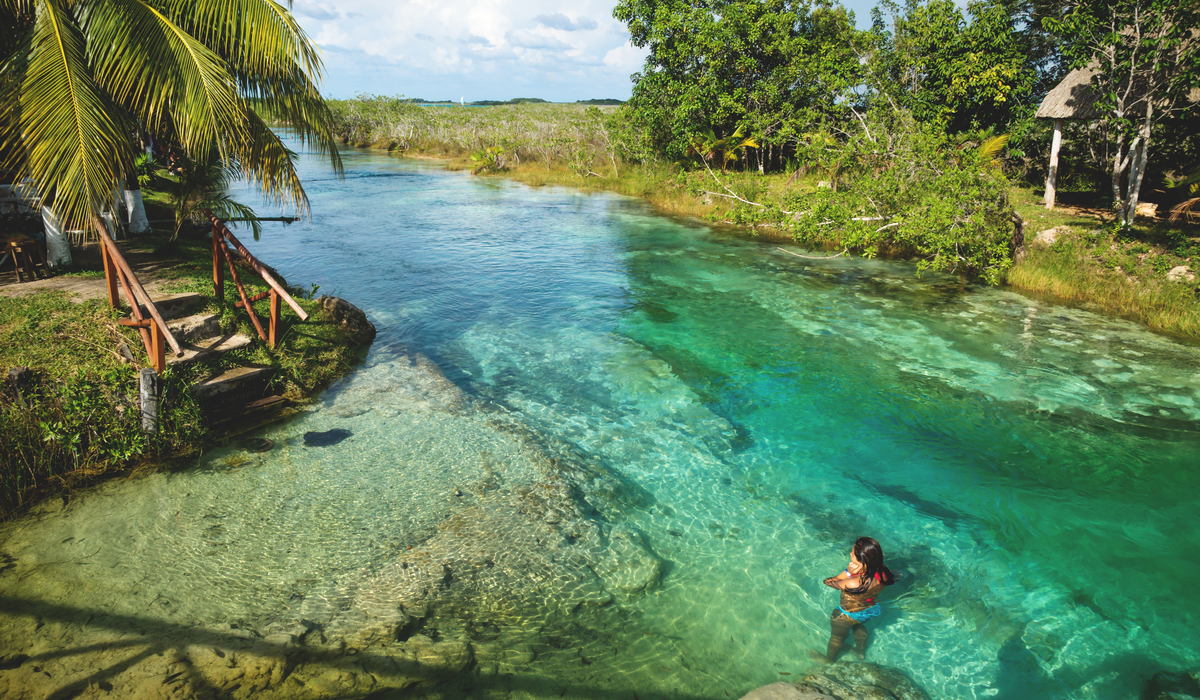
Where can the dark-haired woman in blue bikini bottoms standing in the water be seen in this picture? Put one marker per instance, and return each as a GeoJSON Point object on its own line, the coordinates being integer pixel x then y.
{"type": "Point", "coordinates": [860, 584]}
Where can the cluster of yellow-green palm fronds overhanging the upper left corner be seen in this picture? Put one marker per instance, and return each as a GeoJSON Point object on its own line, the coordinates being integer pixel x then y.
{"type": "Point", "coordinates": [80, 80]}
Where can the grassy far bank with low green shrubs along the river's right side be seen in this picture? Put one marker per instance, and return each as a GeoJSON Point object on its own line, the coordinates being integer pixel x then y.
{"type": "Point", "coordinates": [987, 225]}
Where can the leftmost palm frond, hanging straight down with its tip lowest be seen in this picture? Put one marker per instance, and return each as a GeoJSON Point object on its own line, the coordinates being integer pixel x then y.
{"type": "Point", "coordinates": [75, 141]}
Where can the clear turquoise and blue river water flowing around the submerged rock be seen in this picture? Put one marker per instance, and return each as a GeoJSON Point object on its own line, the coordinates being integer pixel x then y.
{"type": "Point", "coordinates": [1030, 470]}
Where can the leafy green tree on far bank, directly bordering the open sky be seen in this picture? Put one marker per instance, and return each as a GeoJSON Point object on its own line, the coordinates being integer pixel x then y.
{"type": "Point", "coordinates": [723, 64]}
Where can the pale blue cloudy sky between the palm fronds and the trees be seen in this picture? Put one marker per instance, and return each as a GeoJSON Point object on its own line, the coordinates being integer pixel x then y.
{"type": "Point", "coordinates": [479, 50]}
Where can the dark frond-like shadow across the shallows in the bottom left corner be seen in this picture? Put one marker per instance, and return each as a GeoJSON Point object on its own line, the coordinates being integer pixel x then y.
{"type": "Point", "coordinates": [161, 638]}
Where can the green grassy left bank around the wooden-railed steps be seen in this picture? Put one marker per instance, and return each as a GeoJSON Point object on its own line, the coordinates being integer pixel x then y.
{"type": "Point", "coordinates": [77, 418]}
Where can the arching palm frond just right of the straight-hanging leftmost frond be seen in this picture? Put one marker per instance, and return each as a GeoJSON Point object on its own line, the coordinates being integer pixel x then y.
{"type": "Point", "coordinates": [165, 76]}
